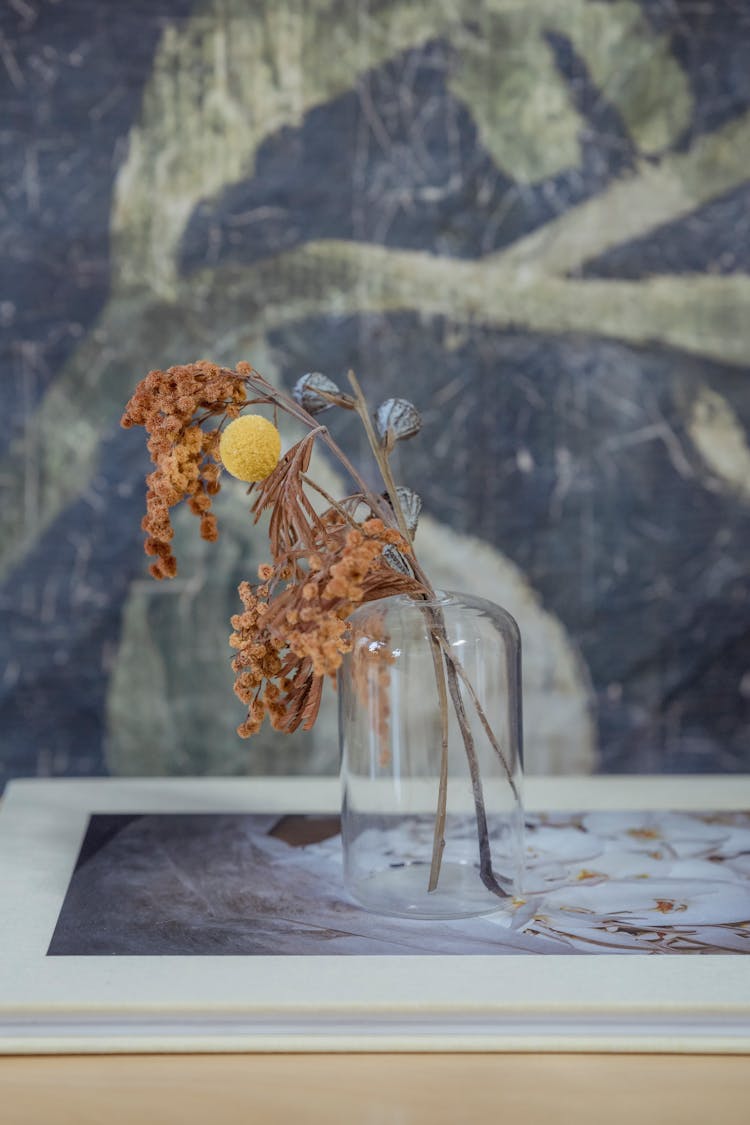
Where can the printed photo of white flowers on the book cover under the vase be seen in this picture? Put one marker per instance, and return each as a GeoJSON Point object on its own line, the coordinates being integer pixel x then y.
{"type": "Point", "coordinates": [254, 885]}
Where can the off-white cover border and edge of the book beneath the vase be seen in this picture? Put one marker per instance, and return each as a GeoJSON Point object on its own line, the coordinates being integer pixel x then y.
{"type": "Point", "coordinates": [597, 1002]}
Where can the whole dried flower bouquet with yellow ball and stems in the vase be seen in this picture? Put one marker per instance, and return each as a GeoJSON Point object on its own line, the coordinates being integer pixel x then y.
{"type": "Point", "coordinates": [294, 632]}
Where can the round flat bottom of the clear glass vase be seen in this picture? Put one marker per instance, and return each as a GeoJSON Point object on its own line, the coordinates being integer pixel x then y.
{"type": "Point", "coordinates": [402, 893]}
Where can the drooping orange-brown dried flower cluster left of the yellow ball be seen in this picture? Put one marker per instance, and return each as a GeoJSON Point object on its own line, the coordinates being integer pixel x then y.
{"type": "Point", "coordinates": [185, 455]}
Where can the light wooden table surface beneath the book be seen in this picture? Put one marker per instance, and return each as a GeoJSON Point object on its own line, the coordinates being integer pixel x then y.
{"type": "Point", "coordinates": [376, 1090]}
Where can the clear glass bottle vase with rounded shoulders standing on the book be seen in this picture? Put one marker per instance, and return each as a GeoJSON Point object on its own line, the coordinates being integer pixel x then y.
{"type": "Point", "coordinates": [431, 742]}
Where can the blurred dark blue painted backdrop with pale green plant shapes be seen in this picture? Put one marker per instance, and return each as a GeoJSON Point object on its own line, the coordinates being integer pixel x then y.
{"type": "Point", "coordinates": [531, 218]}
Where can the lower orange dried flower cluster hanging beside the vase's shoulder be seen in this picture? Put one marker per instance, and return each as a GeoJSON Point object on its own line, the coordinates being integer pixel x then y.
{"type": "Point", "coordinates": [290, 644]}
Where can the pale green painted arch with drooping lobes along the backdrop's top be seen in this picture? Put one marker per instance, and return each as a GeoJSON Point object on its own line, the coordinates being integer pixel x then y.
{"type": "Point", "coordinates": [232, 76]}
